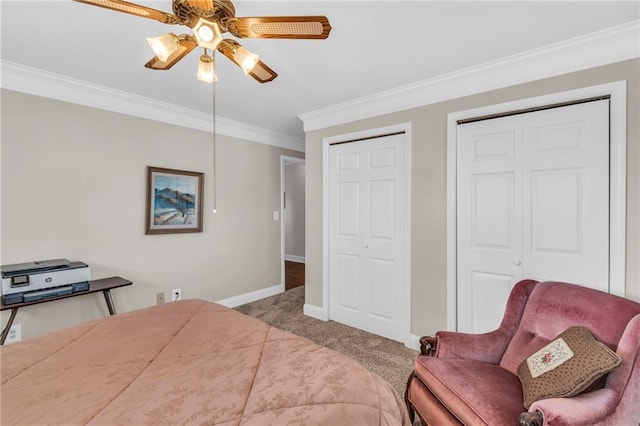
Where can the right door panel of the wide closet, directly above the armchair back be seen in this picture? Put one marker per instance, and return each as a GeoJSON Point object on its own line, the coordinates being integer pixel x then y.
{"type": "Point", "coordinates": [566, 195]}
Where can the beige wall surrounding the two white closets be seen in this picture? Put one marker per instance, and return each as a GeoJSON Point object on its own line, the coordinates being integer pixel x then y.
{"type": "Point", "coordinates": [428, 222]}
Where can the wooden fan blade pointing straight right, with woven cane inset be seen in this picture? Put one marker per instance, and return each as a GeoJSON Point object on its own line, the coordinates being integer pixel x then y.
{"type": "Point", "coordinates": [280, 27]}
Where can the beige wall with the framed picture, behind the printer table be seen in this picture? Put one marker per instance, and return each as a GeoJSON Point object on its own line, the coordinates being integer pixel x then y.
{"type": "Point", "coordinates": [74, 186]}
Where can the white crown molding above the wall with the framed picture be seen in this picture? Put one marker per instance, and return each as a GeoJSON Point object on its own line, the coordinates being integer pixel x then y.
{"type": "Point", "coordinates": [38, 82]}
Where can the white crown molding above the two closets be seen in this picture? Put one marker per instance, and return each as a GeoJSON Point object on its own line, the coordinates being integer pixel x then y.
{"type": "Point", "coordinates": [614, 44]}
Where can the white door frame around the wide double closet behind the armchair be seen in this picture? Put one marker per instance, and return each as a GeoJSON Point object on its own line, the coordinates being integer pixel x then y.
{"type": "Point", "coordinates": [617, 92]}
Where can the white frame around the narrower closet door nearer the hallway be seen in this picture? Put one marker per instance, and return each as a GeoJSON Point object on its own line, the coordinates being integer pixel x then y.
{"type": "Point", "coordinates": [406, 285]}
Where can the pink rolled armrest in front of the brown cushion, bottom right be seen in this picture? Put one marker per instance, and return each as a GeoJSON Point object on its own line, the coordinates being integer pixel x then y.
{"type": "Point", "coordinates": [584, 409]}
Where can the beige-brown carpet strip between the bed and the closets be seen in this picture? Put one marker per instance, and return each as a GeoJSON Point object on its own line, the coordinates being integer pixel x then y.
{"type": "Point", "coordinates": [389, 359]}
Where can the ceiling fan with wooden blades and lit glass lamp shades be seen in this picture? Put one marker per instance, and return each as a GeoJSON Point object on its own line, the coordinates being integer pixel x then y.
{"type": "Point", "coordinates": [209, 19]}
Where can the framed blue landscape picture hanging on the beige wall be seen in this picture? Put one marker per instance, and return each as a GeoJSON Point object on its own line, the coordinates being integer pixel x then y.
{"type": "Point", "coordinates": [174, 201]}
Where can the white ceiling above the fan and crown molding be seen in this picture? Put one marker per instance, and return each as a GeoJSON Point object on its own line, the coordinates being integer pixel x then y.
{"type": "Point", "coordinates": [373, 46]}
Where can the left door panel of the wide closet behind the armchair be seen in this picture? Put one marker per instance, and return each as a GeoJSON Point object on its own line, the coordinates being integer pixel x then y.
{"type": "Point", "coordinates": [489, 219]}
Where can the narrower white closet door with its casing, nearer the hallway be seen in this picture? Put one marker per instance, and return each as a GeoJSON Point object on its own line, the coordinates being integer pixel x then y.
{"type": "Point", "coordinates": [366, 275]}
